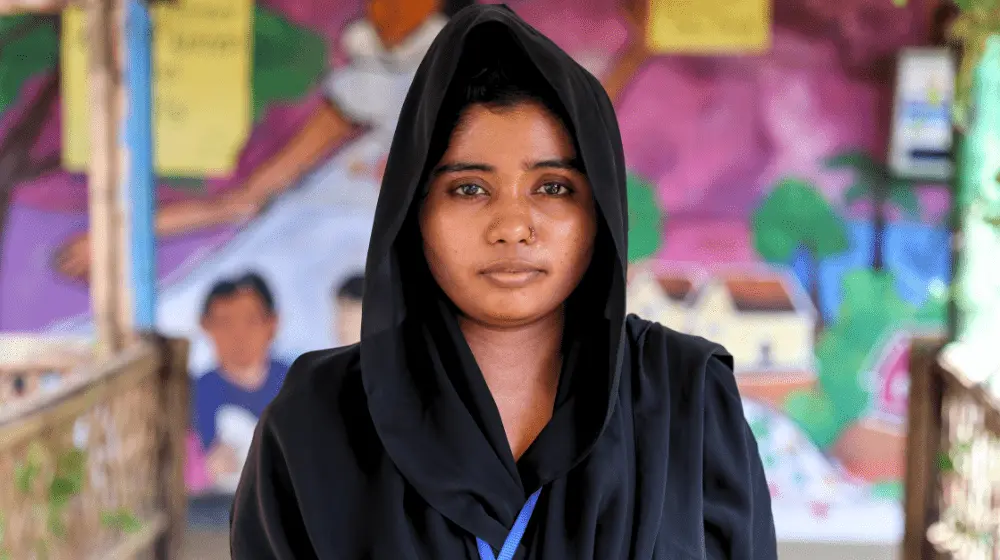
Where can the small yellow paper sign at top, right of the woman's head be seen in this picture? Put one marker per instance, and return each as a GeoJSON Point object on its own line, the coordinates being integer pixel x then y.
{"type": "Point", "coordinates": [708, 26]}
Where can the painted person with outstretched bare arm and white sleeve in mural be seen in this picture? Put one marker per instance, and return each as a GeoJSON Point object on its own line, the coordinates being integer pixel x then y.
{"type": "Point", "coordinates": [362, 99]}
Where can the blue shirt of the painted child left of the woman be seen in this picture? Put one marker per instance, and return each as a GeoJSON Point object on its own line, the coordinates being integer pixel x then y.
{"type": "Point", "coordinates": [224, 410]}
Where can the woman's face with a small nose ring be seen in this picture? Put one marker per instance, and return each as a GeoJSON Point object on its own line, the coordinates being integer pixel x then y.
{"type": "Point", "coordinates": [509, 221]}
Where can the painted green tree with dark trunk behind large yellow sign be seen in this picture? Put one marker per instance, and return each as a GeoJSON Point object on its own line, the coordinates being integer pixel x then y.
{"type": "Point", "coordinates": [288, 60]}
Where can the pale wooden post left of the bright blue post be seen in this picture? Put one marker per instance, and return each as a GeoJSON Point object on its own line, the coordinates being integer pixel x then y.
{"type": "Point", "coordinates": [111, 320]}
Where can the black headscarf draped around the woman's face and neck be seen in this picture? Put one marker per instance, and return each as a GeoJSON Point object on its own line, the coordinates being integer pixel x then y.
{"type": "Point", "coordinates": [434, 413]}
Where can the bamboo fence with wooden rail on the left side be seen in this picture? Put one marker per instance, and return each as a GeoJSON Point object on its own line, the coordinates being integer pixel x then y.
{"type": "Point", "coordinates": [93, 467]}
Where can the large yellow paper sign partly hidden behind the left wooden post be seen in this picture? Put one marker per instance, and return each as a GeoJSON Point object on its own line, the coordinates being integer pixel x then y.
{"type": "Point", "coordinates": [201, 86]}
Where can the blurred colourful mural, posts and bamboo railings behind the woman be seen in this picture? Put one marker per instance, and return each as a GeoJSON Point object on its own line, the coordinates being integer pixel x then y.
{"type": "Point", "coordinates": [811, 184]}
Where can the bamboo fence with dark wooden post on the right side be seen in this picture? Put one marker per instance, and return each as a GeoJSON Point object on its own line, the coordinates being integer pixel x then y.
{"type": "Point", "coordinates": [953, 463]}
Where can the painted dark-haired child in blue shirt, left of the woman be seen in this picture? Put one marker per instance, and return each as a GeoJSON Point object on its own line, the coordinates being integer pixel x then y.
{"type": "Point", "coordinates": [240, 318]}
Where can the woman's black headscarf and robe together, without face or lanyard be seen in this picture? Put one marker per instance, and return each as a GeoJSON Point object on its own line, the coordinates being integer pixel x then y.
{"type": "Point", "coordinates": [394, 448]}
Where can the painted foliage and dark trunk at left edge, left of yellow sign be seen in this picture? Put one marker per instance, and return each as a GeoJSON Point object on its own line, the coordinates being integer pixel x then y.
{"type": "Point", "coordinates": [29, 47]}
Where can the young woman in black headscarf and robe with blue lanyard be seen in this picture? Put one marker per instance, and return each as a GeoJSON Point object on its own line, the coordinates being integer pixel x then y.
{"type": "Point", "coordinates": [500, 404]}
